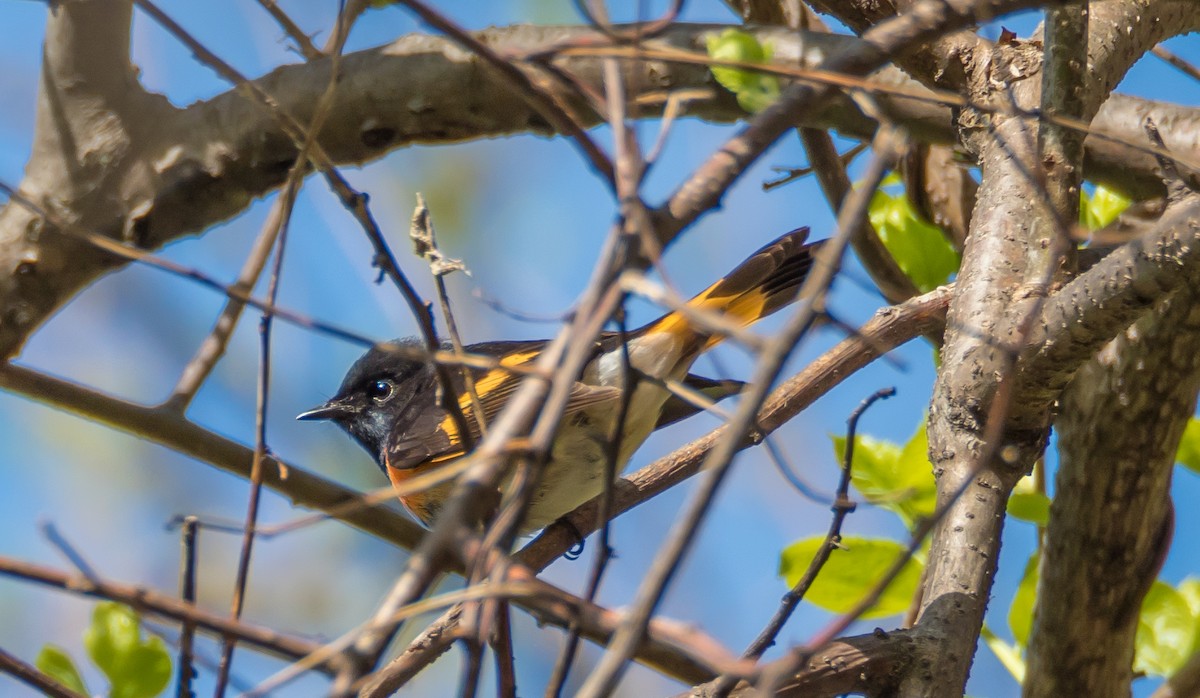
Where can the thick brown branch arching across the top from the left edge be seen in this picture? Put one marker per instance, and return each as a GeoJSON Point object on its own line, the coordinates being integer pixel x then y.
{"type": "Point", "coordinates": [179, 172]}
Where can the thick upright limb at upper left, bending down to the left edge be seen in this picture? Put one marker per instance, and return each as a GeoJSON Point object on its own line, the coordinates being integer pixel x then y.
{"type": "Point", "coordinates": [94, 129]}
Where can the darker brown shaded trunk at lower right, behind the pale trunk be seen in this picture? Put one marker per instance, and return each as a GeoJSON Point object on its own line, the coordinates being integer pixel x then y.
{"type": "Point", "coordinates": [1111, 522]}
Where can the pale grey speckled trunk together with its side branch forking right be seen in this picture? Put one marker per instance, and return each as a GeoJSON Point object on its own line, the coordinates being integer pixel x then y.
{"type": "Point", "coordinates": [985, 434]}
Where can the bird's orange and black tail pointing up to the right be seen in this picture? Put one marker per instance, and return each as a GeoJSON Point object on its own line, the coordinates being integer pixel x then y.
{"type": "Point", "coordinates": [767, 281]}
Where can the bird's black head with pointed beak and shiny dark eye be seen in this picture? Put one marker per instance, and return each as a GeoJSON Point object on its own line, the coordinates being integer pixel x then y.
{"type": "Point", "coordinates": [382, 392]}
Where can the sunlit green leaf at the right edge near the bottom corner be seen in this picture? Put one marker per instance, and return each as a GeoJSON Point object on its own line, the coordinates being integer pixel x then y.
{"type": "Point", "coordinates": [1166, 631]}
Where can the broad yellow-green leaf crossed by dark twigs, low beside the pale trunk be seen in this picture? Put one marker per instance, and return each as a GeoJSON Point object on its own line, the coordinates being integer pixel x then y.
{"type": "Point", "coordinates": [851, 573]}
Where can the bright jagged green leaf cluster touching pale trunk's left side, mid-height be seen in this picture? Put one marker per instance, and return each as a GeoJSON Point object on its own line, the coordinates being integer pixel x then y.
{"type": "Point", "coordinates": [895, 478]}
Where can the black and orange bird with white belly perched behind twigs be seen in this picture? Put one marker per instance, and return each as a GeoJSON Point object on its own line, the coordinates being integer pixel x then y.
{"type": "Point", "coordinates": [388, 402]}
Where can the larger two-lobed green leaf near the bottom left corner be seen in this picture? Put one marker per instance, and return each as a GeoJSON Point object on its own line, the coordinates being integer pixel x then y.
{"type": "Point", "coordinates": [136, 669]}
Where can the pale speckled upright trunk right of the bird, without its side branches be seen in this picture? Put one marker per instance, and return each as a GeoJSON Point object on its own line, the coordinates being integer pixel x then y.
{"type": "Point", "coordinates": [982, 441]}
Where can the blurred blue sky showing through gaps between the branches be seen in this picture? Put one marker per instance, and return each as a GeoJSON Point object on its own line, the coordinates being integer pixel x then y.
{"type": "Point", "coordinates": [527, 218]}
